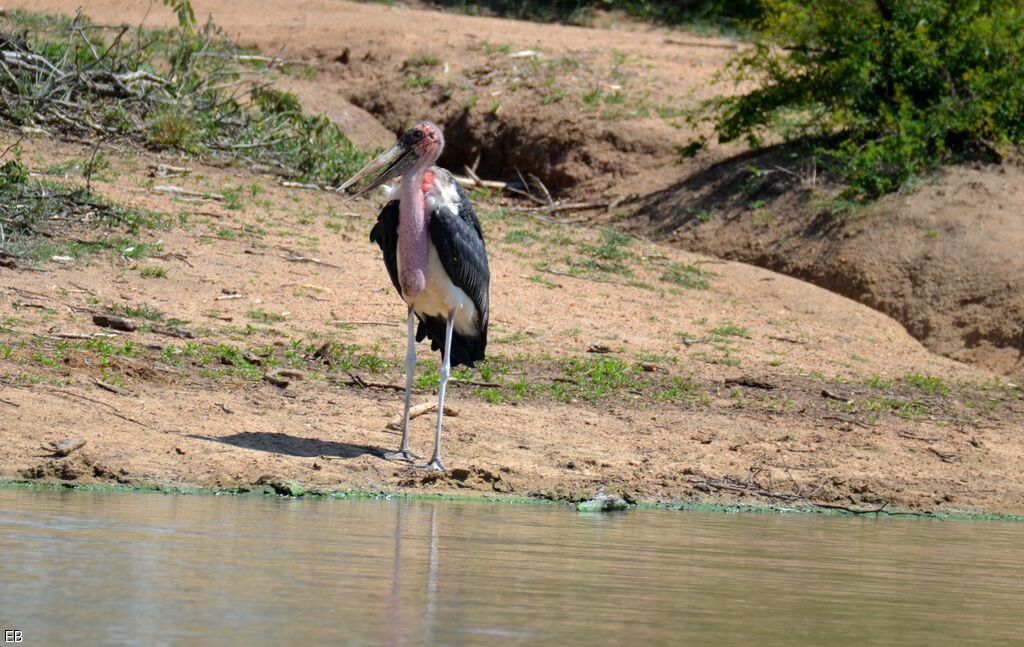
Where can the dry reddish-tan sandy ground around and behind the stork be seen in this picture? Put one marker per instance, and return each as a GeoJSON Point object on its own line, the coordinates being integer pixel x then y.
{"type": "Point", "coordinates": [759, 389]}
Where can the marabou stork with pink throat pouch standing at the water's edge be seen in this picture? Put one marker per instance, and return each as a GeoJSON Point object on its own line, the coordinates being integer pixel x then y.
{"type": "Point", "coordinates": [434, 250]}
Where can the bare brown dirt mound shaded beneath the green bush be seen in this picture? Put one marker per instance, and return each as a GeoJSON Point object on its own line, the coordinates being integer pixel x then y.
{"type": "Point", "coordinates": [947, 262]}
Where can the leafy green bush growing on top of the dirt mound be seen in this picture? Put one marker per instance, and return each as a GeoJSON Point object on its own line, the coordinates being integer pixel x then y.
{"type": "Point", "coordinates": [892, 88]}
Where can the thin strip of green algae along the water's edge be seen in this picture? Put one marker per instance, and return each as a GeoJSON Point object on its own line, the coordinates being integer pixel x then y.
{"type": "Point", "coordinates": [693, 507]}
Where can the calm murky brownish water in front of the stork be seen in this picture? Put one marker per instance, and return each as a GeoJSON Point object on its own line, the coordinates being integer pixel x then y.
{"type": "Point", "coordinates": [84, 569]}
